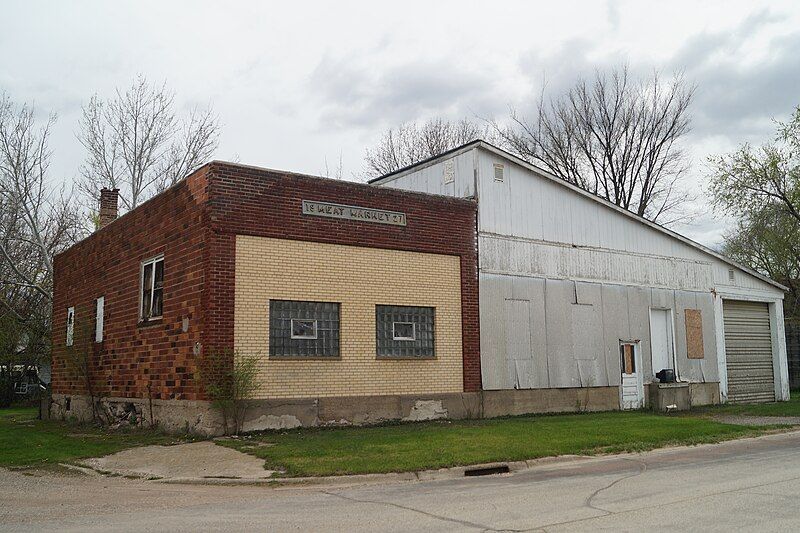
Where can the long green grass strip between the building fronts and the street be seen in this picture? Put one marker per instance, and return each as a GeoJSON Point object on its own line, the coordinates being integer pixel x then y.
{"type": "Point", "coordinates": [419, 446]}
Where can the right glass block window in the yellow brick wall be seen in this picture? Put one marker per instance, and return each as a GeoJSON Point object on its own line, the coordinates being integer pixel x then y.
{"type": "Point", "coordinates": [403, 331]}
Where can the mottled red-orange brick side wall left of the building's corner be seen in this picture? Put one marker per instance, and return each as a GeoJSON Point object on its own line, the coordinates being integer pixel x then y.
{"type": "Point", "coordinates": [133, 356]}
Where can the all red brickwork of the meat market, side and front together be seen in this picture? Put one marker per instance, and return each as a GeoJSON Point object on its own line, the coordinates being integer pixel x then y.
{"type": "Point", "coordinates": [194, 225]}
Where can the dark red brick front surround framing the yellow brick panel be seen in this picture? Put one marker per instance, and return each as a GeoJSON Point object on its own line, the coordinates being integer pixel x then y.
{"type": "Point", "coordinates": [264, 203]}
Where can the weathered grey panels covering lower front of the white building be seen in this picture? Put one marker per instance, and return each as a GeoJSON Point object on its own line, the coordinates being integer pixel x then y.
{"type": "Point", "coordinates": [575, 329]}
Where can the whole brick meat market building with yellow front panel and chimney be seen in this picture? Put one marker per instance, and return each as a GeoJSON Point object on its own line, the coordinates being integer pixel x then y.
{"type": "Point", "coordinates": [360, 303]}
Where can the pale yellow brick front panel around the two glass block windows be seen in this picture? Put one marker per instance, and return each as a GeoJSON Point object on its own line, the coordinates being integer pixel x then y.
{"type": "Point", "coordinates": [358, 278]}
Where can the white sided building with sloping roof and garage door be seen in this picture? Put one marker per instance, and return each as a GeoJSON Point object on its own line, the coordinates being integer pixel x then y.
{"type": "Point", "coordinates": [578, 293]}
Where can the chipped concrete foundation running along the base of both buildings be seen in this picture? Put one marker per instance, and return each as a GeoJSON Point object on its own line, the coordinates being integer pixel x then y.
{"type": "Point", "coordinates": [201, 417]}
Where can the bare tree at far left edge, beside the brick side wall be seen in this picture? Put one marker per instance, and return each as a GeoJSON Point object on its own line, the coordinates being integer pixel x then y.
{"type": "Point", "coordinates": [36, 222]}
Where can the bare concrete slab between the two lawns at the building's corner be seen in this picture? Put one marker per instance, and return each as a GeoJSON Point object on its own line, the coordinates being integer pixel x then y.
{"type": "Point", "coordinates": [197, 460]}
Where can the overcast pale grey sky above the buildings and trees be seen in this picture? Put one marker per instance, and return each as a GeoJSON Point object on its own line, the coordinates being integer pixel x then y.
{"type": "Point", "coordinates": [297, 84]}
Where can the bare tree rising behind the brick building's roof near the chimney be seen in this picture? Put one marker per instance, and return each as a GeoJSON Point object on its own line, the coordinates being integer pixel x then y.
{"type": "Point", "coordinates": [136, 143]}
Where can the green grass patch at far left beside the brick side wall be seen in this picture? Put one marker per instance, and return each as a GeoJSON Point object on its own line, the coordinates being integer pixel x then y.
{"type": "Point", "coordinates": [26, 441]}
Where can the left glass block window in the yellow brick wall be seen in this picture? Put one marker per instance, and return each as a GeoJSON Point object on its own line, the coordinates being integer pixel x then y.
{"type": "Point", "coordinates": [303, 329]}
